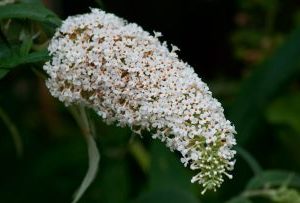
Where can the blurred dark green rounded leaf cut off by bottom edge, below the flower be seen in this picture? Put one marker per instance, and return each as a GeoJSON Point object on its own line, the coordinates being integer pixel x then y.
{"type": "Point", "coordinates": [167, 195]}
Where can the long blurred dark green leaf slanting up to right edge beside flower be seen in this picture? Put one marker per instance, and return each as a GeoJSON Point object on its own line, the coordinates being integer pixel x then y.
{"type": "Point", "coordinates": [263, 85]}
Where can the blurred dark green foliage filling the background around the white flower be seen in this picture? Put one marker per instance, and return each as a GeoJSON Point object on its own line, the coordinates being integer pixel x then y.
{"type": "Point", "coordinates": [262, 98]}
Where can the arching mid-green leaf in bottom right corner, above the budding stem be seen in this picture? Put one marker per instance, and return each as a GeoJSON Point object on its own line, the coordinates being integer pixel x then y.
{"type": "Point", "coordinates": [274, 178]}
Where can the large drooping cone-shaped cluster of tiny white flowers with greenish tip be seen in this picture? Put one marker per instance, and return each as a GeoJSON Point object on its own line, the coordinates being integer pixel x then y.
{"type": "Point", "coordinates": [129, 77]}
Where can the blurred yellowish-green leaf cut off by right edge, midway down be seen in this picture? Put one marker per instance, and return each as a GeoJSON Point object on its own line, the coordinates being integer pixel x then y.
{"type": "Point", "coordinates": [286, 110]}
